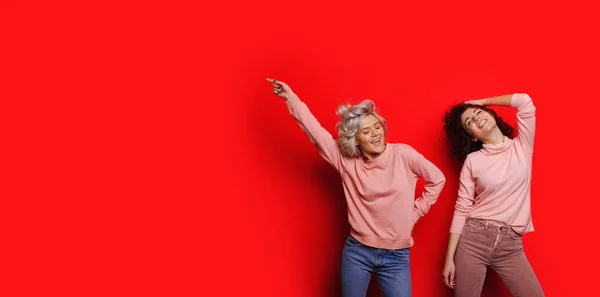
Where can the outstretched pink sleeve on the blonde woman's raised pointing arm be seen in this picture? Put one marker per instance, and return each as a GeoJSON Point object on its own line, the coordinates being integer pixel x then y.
{"type": "Point", "coordinates": [318, 135]}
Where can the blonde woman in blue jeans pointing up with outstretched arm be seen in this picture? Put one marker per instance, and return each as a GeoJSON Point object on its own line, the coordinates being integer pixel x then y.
{"type": "Point", "coordinates": [379, 181]}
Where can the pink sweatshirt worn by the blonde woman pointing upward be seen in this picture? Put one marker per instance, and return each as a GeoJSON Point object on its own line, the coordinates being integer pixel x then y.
{"type": "Point", "coordinates": [380, 193]}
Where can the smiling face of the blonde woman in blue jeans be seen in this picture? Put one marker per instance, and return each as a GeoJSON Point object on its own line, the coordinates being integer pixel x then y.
{"type": "Point", "coordinates": [371, 137]}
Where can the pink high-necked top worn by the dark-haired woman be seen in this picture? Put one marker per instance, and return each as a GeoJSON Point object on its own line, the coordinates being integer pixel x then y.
{"type": "Point", "coordinates": [495, 181]}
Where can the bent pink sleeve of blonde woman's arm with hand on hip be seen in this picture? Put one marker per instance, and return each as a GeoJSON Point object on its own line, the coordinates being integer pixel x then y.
{"type": "Point", "coordinates": [434, 179]}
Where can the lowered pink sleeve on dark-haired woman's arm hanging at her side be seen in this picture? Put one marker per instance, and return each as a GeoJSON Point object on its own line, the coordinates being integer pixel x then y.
{"type": "Point", "coordinates": [466, 198]}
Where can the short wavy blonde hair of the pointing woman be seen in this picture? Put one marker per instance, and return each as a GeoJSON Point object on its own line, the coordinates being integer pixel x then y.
{"type": "Point", "coordinates": [349, 125]}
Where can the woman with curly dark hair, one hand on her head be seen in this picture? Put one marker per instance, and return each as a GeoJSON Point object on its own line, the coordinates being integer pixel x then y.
{"type": "Point", "coordinates": [492, 210]}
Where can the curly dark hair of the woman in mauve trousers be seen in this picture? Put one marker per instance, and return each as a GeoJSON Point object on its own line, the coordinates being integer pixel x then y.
{"type": "Point", "coordinates": [461, 143]}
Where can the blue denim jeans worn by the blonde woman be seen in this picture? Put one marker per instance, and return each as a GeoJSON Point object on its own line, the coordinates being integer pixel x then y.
{"type": "Point", "coordinates": [391, 267]}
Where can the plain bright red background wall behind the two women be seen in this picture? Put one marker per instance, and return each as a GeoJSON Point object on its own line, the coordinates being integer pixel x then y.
{"type": "Point", "coordinates": [146, 155]}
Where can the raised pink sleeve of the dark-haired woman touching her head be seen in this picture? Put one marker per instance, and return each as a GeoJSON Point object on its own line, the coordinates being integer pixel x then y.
{"type": "Point", "coordinates": [525, 120]}
